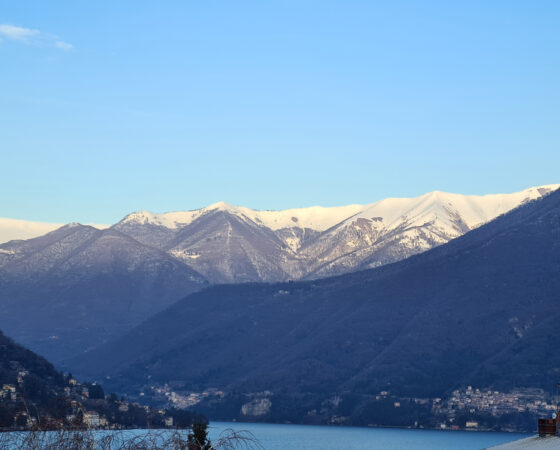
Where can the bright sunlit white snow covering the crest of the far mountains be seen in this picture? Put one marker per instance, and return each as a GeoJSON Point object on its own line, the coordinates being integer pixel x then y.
{"type": "Point", "coordinates": [471, 210]}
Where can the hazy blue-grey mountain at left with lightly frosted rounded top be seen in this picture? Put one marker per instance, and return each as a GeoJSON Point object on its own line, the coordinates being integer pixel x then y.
{"type": "Point", "coordinates": [77, 286]}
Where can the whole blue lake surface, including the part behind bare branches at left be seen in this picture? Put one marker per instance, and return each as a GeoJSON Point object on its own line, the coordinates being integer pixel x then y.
{"type": "Point", "coordinates": [281, 437]}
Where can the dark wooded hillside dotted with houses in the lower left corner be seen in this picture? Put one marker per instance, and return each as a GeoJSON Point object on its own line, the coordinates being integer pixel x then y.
{"type": "Point", "coordinates": [34, 395]}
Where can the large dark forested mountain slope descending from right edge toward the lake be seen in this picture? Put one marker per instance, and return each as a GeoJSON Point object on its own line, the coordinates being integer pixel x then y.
{"type": "Point", "coordinates": [482, 310]}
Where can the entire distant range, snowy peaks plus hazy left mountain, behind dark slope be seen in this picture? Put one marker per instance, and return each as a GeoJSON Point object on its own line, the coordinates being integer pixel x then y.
{"type": "Point", "coordinates": [79, 286]}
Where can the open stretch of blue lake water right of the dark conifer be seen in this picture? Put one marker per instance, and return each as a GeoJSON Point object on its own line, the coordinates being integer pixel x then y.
{"type": "Point", "coordinates": [307, 437]}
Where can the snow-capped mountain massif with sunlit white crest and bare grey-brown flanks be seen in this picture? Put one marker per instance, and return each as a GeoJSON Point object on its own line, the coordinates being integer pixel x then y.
{"type": "Point", "coordinates": [228, 243]}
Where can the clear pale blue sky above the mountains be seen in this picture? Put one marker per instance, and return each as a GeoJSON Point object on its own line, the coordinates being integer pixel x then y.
{"type": "Point", "coordinates": [113, 107]}
